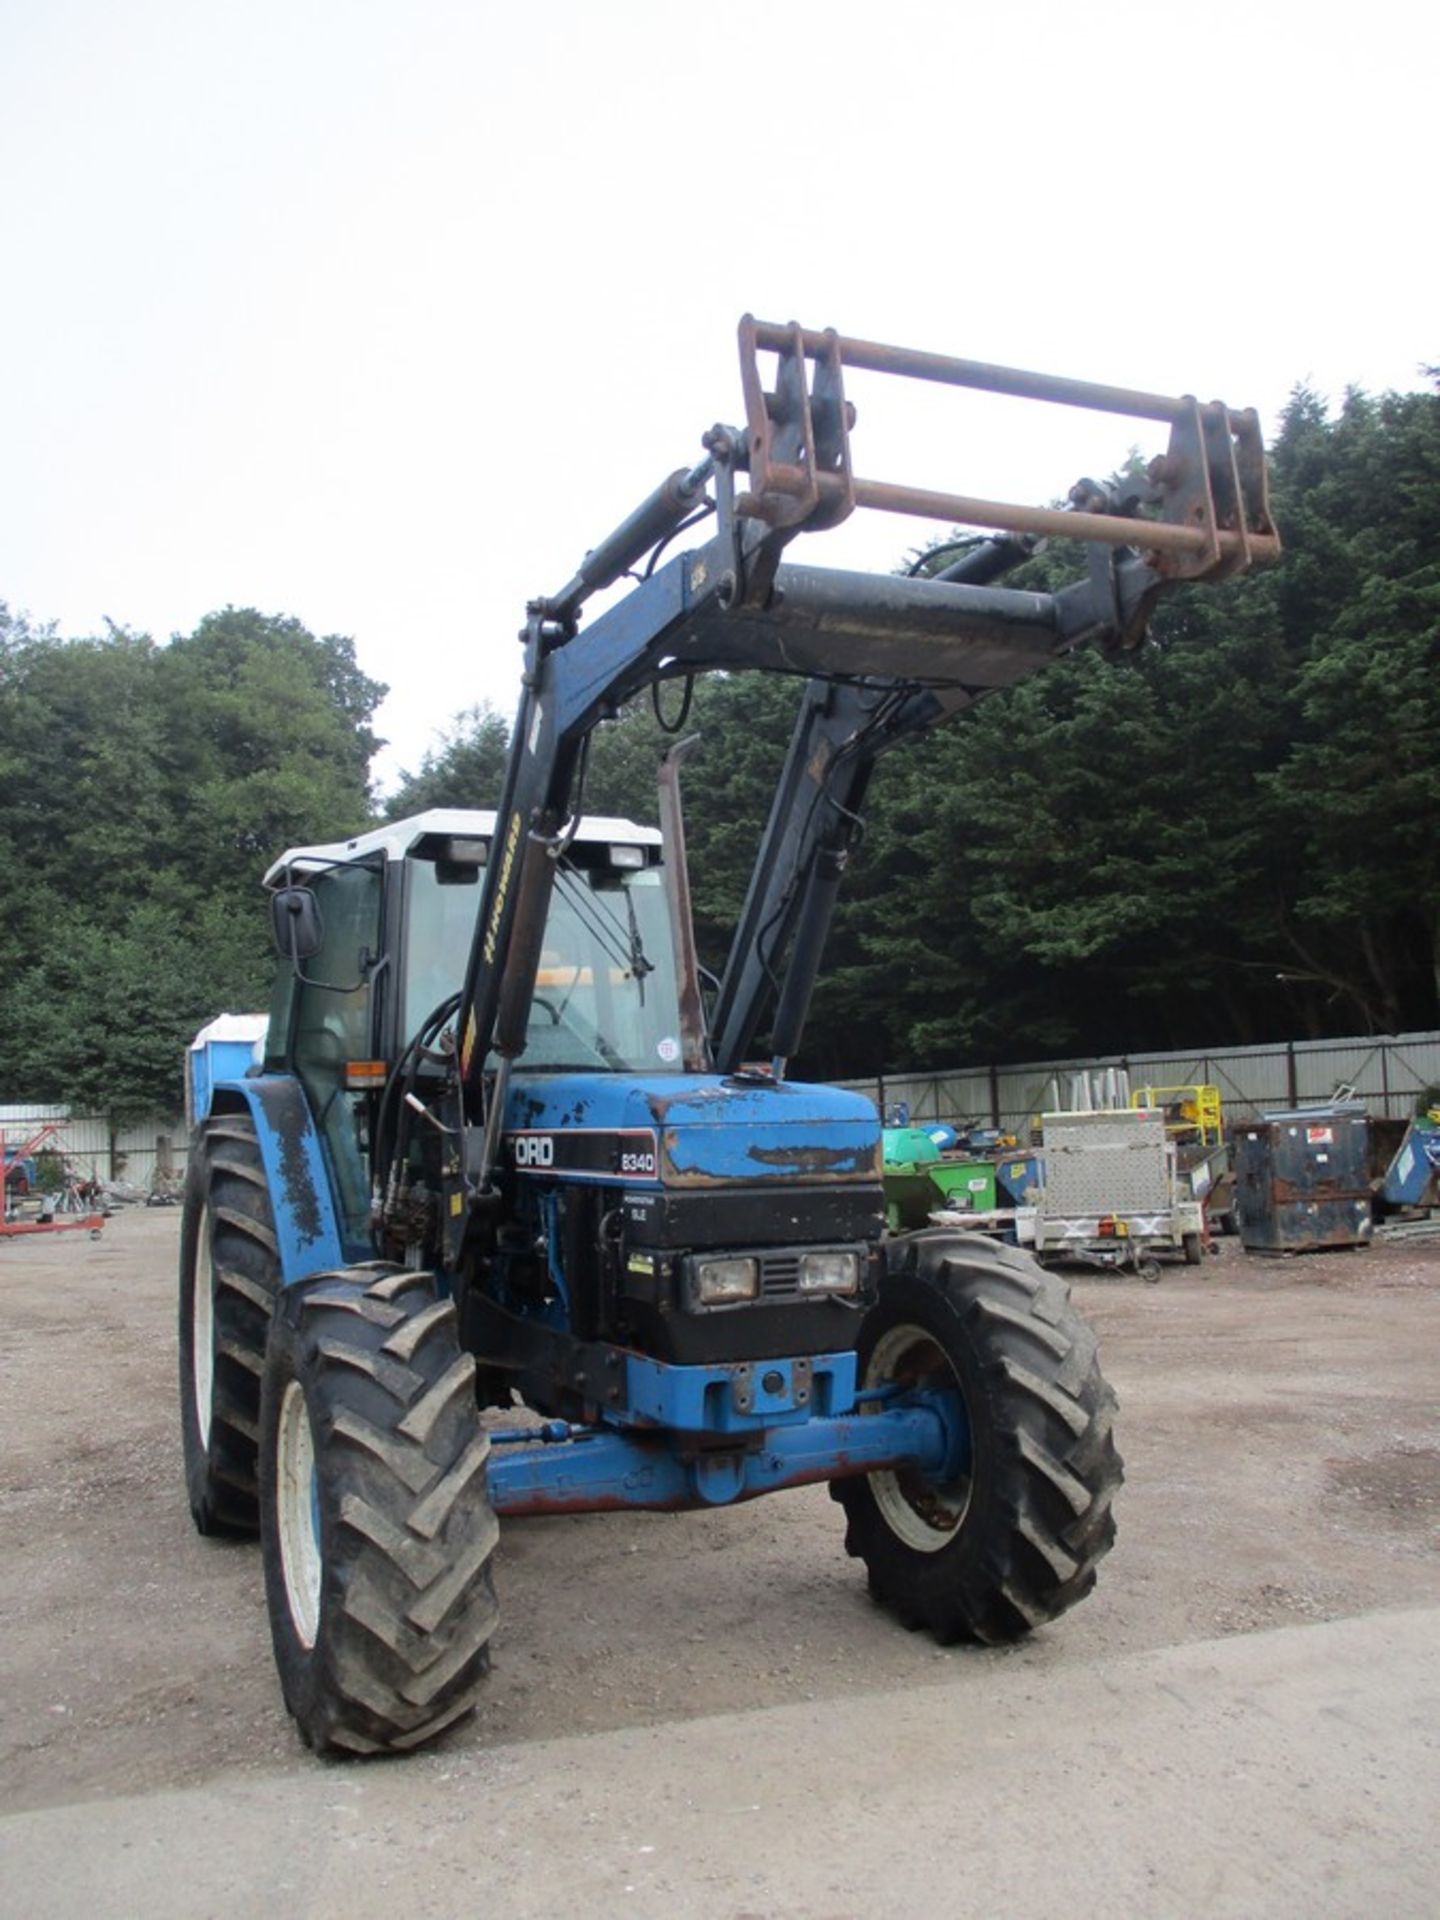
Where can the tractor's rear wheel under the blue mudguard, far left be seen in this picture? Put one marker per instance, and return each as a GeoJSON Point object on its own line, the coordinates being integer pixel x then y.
{"type": "Point", "coordinates": [229, 1278]}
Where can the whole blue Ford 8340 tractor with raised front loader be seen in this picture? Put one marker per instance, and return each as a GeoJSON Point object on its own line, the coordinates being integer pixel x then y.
{"type": "Point", "coordinates": [512, 1220]}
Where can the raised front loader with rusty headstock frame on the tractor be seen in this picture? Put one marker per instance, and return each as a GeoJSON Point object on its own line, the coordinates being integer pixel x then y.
{"type": "Point", "coordinates": [884, 656]}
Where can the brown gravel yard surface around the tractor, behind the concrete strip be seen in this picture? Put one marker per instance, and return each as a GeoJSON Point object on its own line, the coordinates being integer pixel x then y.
{"type": "Point", "coordinates": [1280, 1422]}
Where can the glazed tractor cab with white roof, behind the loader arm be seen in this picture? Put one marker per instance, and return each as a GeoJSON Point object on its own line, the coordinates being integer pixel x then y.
{"type": "Point", "coordinates": [387, 924]}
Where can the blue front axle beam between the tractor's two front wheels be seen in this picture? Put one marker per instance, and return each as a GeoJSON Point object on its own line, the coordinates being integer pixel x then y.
{"type": "Point", "coordinates": [610, 1470]}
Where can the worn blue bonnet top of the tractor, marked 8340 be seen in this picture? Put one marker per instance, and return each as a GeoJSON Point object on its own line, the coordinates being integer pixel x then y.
{"type": "Point", "coordinates": [709, 1128]}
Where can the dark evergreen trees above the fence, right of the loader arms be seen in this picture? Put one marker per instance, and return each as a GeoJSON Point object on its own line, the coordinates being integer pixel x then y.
{"type": "Point", "coordinates": [1222, 838]}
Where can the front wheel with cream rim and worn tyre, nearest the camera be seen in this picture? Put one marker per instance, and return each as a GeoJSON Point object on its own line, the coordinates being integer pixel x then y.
{"type": "Point", "coordinates": [375, 1518]}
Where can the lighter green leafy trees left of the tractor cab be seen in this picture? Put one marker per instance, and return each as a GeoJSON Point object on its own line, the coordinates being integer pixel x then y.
{"type": "Point", "coordinates": [143, 792]}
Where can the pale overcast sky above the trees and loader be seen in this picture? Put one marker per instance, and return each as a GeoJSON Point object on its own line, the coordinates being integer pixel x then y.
{"type": "Point", "coordinates": [381, 314]}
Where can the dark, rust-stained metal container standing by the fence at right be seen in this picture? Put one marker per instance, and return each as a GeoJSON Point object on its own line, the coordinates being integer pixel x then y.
{"type": "Point", "coordinates": [1303, 1180]}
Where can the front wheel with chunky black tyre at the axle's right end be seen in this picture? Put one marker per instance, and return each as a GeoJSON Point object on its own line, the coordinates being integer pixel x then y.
{"type": "Point", "coordinates": [1015, 1535]}
